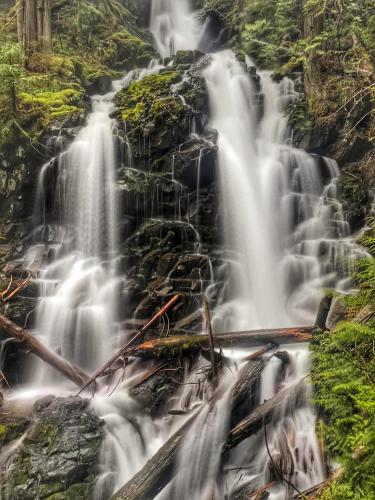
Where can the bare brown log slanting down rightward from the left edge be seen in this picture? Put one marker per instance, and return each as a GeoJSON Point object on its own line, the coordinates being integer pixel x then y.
{"type": "Point", "coordinates": [70, 371]}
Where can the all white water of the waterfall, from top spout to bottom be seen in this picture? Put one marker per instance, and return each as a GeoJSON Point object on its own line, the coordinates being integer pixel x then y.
{"type": "Point", "coordinates": [285, 239]}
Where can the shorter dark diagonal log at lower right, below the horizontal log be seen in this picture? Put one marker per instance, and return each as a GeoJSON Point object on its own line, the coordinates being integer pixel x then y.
{"type": "Point", "coordinates": [263, 414]}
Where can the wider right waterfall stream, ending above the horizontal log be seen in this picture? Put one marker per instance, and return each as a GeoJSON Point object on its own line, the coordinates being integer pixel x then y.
{"type": "Point", "coordinates": [284, 229]}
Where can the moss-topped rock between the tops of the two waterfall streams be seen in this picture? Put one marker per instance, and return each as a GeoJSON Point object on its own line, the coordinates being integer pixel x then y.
{"type": "Point", "coordinates": [160, 111]}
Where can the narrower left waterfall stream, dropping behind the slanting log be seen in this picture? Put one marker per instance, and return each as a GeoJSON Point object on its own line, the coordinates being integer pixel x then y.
{"type": "Point", "coordinates": [78, 288]}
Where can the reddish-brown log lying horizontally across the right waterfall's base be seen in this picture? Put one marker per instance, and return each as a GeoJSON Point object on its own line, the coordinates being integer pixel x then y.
{"type": "Point", "coordinates": [177, 344]}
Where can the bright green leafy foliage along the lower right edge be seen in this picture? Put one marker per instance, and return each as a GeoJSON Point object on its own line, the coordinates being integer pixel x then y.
{"type": "Point", "coordinates": [343, 373]}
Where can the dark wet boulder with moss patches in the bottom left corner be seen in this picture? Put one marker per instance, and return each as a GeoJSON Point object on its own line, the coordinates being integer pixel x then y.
{"type": "Point", "coordinates": [59, 454]}
